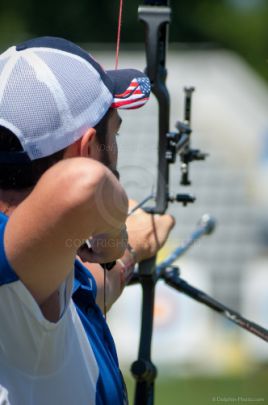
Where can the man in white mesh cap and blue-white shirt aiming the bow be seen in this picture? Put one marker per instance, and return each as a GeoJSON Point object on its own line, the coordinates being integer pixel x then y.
{"type": "Point", "coordinates": [62, 207]}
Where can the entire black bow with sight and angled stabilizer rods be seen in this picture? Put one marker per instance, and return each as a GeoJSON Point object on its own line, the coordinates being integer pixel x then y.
{"type": "Point", "coordinates": [155, 15]}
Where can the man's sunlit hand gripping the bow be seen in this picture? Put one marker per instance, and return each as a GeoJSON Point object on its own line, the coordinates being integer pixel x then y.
{"type": "Point", "coordinates": [147, 233]}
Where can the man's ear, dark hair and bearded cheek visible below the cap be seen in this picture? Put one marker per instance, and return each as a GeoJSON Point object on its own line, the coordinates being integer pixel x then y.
{"type": "Point", "coordinates": [97, 143]}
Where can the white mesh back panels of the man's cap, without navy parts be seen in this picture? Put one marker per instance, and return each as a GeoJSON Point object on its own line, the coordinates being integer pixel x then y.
{"type": "Point", "coordinates": [50, 97]}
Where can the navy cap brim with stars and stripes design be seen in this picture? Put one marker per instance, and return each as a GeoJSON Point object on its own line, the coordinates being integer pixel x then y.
{"type": "Point", "coordinates": [131, 88]}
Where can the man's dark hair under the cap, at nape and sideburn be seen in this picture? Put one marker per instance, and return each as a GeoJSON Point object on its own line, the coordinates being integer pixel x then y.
{"type": "Point", "coordinates": [20, 176]}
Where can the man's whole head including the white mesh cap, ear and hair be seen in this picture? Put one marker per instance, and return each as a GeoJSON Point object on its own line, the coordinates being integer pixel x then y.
{"type": "Point", "coordinates": [56, 101]}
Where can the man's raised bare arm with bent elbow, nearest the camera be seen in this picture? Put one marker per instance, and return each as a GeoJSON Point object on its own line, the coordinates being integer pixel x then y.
{"type": "Point", "coordinates": [72, 201]}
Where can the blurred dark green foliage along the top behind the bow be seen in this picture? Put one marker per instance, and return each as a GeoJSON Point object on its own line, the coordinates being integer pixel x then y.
{"type": "Point", "coordinates": [240, 25]}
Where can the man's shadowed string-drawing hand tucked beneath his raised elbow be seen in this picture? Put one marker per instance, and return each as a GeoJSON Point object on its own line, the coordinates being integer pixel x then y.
{"type": "Point", "coordinates": [104, 248]}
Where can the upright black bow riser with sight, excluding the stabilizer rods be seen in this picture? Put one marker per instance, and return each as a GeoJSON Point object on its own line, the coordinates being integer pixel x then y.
{"type": "Point", "coordinates": [155, 14]}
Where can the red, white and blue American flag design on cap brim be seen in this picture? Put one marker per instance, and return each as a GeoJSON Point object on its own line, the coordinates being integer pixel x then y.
{"type": "Point", "coordinates": [135, 96]}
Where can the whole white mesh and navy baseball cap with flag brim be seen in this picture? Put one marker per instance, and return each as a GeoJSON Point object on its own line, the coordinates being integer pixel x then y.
{"type": "Point", "coordinates": [51, 91]}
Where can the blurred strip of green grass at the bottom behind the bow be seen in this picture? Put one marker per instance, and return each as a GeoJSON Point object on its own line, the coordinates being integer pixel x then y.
{"type": "Point", "coordinates": [251, 389]}
